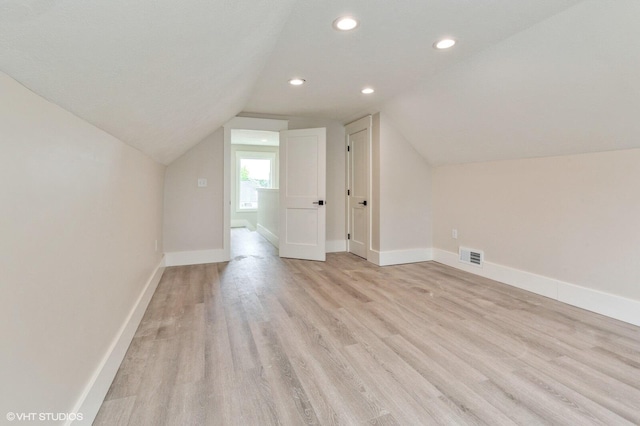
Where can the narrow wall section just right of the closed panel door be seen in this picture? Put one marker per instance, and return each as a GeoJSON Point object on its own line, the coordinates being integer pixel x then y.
{"type": "Point", "coordinates": [401, 195]}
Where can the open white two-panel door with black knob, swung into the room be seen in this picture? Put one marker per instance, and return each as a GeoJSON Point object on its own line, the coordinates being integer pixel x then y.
{"type": "Point", "coordinates": [303, 172]}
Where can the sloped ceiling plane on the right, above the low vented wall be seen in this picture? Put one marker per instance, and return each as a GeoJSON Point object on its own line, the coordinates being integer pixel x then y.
{"type": "Point", "coordinates": [568, 85]}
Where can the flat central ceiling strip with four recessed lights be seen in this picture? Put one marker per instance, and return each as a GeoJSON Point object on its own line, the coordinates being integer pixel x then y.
{"type": "Point", "coordinates": [392, 49]}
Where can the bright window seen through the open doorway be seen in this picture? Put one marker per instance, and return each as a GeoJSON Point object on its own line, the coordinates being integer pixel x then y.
{"type": "Point", "coordinates": [253, 170]}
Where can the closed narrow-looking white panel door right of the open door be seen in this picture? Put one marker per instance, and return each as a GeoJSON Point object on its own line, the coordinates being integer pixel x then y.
{"type": "Point", "coordinates": [358, 189]}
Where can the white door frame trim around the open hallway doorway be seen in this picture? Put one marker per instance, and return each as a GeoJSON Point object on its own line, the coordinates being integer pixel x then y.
{"type": "Point", "coordinates": [241, 123]}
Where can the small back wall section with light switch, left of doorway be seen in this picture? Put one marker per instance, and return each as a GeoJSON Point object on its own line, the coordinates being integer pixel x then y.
{"type": "Point", "coordinates": [193, 216]}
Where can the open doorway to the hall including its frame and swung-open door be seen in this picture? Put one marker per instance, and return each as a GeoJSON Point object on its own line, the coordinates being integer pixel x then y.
{"type": "Point", "coordinates": [301, 178]}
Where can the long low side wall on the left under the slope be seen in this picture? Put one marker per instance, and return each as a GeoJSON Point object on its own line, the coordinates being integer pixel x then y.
{"type": "Point", "coordinates": [80, 215]}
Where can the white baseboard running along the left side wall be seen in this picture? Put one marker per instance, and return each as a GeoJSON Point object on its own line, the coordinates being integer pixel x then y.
{"type": "Point", "coordinates": [91, 399]}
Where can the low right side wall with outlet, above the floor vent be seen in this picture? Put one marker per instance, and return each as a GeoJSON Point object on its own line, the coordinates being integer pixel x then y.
{"type": "Point", "coordinates": [570, 218]}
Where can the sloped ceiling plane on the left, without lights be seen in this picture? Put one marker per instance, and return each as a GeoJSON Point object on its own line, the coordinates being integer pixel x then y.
{"type": "Point", "coordinates": [159, 75]}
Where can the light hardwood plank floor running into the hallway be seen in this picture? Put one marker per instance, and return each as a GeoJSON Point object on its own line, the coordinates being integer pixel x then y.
{"type": "Point", "coordinates": [260, 341]}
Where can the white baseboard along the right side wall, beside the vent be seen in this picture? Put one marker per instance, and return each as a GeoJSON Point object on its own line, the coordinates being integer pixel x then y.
{"type": "Point", "coordinates": [610, 305]}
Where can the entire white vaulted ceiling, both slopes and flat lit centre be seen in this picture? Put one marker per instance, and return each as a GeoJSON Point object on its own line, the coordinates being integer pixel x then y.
{"type": "Point", "coordinates": [527, 78]}
